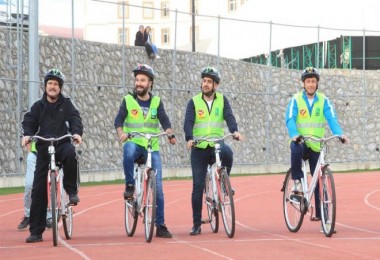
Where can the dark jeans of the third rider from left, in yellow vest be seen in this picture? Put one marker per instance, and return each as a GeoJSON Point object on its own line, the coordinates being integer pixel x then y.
{"type": "Point", "coordinates": [199, 162]}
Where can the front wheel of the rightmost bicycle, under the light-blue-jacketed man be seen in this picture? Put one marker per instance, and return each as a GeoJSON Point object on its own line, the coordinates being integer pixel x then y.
{"type": "Point", "coordinates": [328, 201]}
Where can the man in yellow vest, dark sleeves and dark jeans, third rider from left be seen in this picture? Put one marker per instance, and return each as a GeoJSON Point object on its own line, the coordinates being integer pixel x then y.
{"type": "Point", "coordinates": [205, 114]}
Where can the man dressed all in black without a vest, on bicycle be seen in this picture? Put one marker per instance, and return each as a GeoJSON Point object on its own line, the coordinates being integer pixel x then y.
{"type": "Point", "coordinates": [54, 115]}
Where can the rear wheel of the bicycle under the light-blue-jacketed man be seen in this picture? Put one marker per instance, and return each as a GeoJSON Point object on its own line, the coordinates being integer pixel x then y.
{"type": "Point", "coordinates": [292, 205]}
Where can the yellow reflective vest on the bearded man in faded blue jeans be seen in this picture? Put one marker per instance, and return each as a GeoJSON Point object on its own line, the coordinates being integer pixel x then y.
{"type": "Point", "coordinates": [136, 122]}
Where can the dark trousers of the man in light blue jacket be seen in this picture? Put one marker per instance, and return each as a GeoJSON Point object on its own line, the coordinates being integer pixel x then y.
{"type": "Point", "coordinates": [299, 151]}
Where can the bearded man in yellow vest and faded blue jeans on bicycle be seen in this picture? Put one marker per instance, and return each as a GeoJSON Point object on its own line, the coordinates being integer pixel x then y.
{"type": "Point", "coordinates": [141, 111]}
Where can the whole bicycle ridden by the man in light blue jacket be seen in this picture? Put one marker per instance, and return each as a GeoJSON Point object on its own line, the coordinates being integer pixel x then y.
{"type": "Point", "coordinates": [295, 206]}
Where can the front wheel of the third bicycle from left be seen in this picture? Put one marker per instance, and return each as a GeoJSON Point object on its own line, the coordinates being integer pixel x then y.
{"type": "Point", "coordinates": [226, 200]}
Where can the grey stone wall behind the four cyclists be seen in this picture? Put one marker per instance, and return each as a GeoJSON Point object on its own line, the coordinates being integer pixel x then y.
{"type": "Point", "coordinates": [258, 94]}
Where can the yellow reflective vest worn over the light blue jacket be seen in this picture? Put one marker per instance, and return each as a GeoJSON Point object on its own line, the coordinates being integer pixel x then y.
{"type": "Point", "coordinates": [313, 124]}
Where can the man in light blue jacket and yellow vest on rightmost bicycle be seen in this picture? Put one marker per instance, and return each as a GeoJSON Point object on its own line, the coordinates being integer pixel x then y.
{"type": "Point", "coordinates": [306, 114]}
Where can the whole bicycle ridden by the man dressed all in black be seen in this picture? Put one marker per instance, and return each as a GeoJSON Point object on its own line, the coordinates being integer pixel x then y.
{"type": "Point", "coordinates": [59, 202]}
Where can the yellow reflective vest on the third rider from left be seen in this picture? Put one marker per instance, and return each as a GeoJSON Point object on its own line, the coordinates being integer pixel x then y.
{"type": "Point", "coordinates": [208, 125]}
